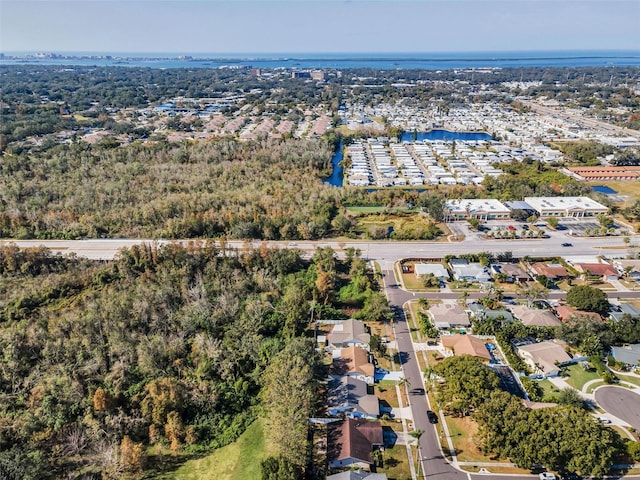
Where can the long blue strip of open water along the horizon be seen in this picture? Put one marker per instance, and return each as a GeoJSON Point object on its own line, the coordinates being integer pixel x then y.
{"type": "Point", "coordinates": [426, 61]}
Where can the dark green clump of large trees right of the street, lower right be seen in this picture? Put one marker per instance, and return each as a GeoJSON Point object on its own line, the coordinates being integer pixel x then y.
{"type": "Point", "coordinates": [563, 438]}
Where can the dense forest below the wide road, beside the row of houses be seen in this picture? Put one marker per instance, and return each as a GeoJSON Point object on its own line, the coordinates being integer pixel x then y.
{"type": "Point", "coordinates": [106, 367]}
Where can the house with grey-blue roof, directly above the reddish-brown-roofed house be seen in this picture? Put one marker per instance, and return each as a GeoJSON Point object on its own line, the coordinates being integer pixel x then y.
{"type": "Point", "coordinates": [352, 397]}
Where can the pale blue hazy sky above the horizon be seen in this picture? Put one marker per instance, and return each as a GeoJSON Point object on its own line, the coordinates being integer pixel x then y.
{"type": "Point", "coordinates": [317, 26]}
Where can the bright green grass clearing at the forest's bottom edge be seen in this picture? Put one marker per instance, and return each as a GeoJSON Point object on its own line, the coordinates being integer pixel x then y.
{"type": "Point", "coordinates": [240, 459]}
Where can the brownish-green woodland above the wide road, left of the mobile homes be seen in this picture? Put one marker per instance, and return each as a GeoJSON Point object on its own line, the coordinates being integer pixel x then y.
{"type": "Point", "coordinates": [269, 189]}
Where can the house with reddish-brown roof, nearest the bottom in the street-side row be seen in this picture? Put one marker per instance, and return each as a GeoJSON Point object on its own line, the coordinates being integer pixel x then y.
{"type": "Point", "coordinates": [352, 442]}
